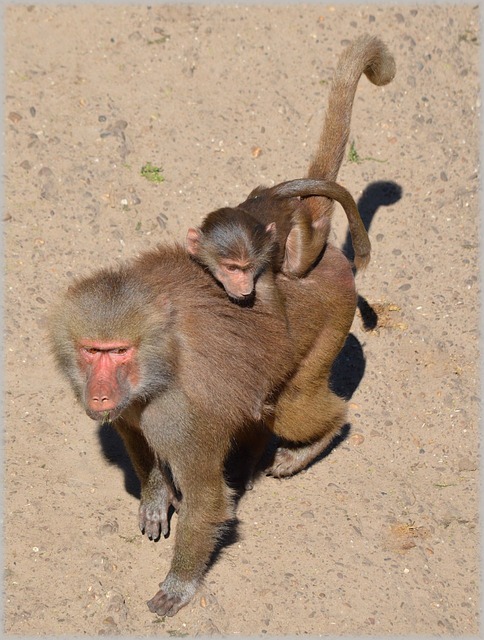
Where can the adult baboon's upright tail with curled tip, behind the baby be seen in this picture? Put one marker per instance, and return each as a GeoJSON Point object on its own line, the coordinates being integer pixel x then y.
{"type": "Point", "coordinates": [368, 55]}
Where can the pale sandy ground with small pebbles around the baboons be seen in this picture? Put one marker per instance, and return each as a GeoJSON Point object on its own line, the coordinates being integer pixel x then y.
{"type": "Point", "coordinates": [381, 536]}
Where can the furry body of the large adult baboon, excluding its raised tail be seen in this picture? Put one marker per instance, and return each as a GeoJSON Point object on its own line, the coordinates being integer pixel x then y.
{"type": "Point", "coordinates": [198, 366]}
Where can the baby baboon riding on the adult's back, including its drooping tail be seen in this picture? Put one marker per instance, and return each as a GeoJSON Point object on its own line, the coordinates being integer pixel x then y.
{"type": "Point", "coordinates": [271, 230]}
